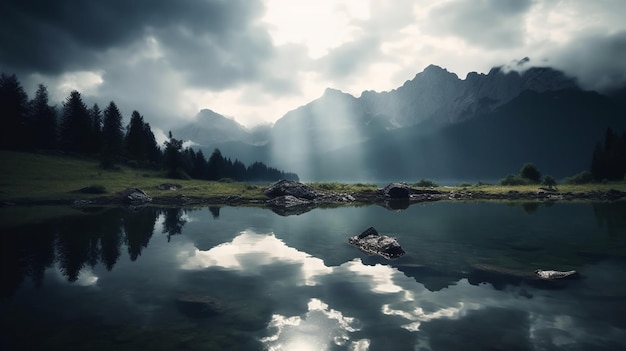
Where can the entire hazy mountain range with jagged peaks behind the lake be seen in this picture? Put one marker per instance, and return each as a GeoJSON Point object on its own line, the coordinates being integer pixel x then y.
{"type": "Point", "coordinates": [435, 125]}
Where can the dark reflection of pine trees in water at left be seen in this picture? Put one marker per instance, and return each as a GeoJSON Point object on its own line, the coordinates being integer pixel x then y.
{"type": "Point", "coordinates": [73, 243]}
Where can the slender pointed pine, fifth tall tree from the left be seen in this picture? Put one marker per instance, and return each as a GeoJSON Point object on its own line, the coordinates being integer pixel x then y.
{"type": "Point", "coordinates": [112, 136]}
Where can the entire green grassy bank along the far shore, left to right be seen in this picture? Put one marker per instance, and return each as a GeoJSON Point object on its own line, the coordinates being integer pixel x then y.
{"type": "Point", "coordinates": [47, 177]}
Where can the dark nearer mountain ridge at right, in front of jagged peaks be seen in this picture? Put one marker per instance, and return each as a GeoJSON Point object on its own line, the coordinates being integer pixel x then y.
{"type": "Point", "coordinates": [556, 130]}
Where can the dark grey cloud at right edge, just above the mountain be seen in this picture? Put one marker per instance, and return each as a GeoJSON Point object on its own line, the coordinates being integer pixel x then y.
{"type": "Point", "coordinates": [598, 61]}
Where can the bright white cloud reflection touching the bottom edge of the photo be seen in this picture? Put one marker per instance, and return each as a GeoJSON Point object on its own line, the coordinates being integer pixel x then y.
{"type": "Point", "coordinates": [319, 327]}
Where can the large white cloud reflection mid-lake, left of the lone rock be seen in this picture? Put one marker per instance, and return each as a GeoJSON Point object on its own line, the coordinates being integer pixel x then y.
{"type": "Point", "coordinates": [249, 251]}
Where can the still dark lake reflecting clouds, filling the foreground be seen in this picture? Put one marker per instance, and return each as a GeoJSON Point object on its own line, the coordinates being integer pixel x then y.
{"type": "Point", "coordinates": [243, 278]}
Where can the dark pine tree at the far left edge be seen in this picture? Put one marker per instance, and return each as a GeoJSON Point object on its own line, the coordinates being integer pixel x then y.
{"type": "Point", "coordinates": [13, 113]}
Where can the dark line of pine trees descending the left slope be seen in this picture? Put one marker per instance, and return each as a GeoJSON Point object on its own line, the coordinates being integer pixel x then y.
{"type": "Point", "coordinates": [33, 124]}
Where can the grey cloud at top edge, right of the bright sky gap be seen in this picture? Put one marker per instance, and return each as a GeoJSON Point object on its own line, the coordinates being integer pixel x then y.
{"type": "Point", "coordinates": [486, 23]}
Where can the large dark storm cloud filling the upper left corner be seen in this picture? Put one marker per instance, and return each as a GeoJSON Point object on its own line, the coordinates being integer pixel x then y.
{"type": "Point", "coordinates": [217, 38]}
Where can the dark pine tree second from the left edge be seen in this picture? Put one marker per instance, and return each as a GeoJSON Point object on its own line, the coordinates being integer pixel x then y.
{"type": "Point", "coordinates": [43, 120]}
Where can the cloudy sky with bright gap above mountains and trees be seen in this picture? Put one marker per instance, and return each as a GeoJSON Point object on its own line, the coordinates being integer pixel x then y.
{"type": "Point", "coordinates": [255, 60]}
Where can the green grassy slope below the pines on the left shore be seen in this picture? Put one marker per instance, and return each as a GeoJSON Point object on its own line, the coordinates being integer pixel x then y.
{"type": "Point", "coordinates": [58, 177]}
